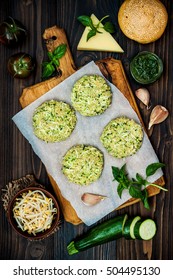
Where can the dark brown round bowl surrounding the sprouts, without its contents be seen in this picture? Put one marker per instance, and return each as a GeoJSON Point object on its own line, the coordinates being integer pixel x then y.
{"type": "Point", "coordinates": [40, 235]}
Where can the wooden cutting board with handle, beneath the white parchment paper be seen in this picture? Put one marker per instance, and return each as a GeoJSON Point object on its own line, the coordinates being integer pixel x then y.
{"type": "Point", "coordinates": [113, 70]}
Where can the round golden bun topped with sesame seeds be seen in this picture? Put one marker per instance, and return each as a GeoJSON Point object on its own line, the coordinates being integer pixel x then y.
{"type": "Point", "coordinates": [143, 21]}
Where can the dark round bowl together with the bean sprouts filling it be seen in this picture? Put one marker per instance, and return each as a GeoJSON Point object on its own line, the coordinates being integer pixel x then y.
{"type": "Point", "coordinates": [34, 213]}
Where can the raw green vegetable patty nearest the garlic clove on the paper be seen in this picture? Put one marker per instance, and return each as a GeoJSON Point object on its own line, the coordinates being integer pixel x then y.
{"type": "Point", "coordinates": [82, 164]}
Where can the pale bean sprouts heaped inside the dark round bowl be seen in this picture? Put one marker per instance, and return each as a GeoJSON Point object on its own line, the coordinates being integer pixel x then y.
{"type": "Point", "coordinates": [34, 212]}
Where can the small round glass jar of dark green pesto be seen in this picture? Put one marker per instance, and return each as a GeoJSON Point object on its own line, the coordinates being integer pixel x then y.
{"type": "Point", "coordinates": [146, 67]}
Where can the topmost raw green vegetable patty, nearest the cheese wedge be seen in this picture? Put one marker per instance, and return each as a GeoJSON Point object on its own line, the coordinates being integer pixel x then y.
{"type": "Point", "coordinates": [91, 95]}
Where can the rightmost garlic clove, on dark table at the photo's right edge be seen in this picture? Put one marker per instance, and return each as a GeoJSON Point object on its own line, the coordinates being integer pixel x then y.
{"type": "Point", "coordinates": [158, 115]}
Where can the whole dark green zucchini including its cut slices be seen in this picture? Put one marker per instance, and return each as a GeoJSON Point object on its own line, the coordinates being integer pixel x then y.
{"type": "Point", "coordinates": [120, 226]}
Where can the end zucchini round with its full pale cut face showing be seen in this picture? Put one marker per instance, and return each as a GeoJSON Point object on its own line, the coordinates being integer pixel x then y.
{"type": "Point", "coordinates": [145, 229]}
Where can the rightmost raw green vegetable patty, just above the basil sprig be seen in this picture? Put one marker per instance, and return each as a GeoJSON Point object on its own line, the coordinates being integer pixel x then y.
{"type": "Point", "coordinates": [122, 137]}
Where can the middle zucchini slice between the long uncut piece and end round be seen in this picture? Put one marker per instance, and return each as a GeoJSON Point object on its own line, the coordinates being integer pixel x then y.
{"type": "Point", "coordinates": [128, 231]}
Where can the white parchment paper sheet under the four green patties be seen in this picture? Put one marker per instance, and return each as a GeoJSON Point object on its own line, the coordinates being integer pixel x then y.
{"type": "Point", "coordinates": [87, 131]}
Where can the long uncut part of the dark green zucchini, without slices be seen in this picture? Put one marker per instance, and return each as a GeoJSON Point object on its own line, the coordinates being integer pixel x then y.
{"type": "Point", "coordinates": [107, 231]}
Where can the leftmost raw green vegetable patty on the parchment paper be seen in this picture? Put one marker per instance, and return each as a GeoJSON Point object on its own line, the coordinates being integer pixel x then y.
{"type": "Point", "coordinates": [54, 121]}
